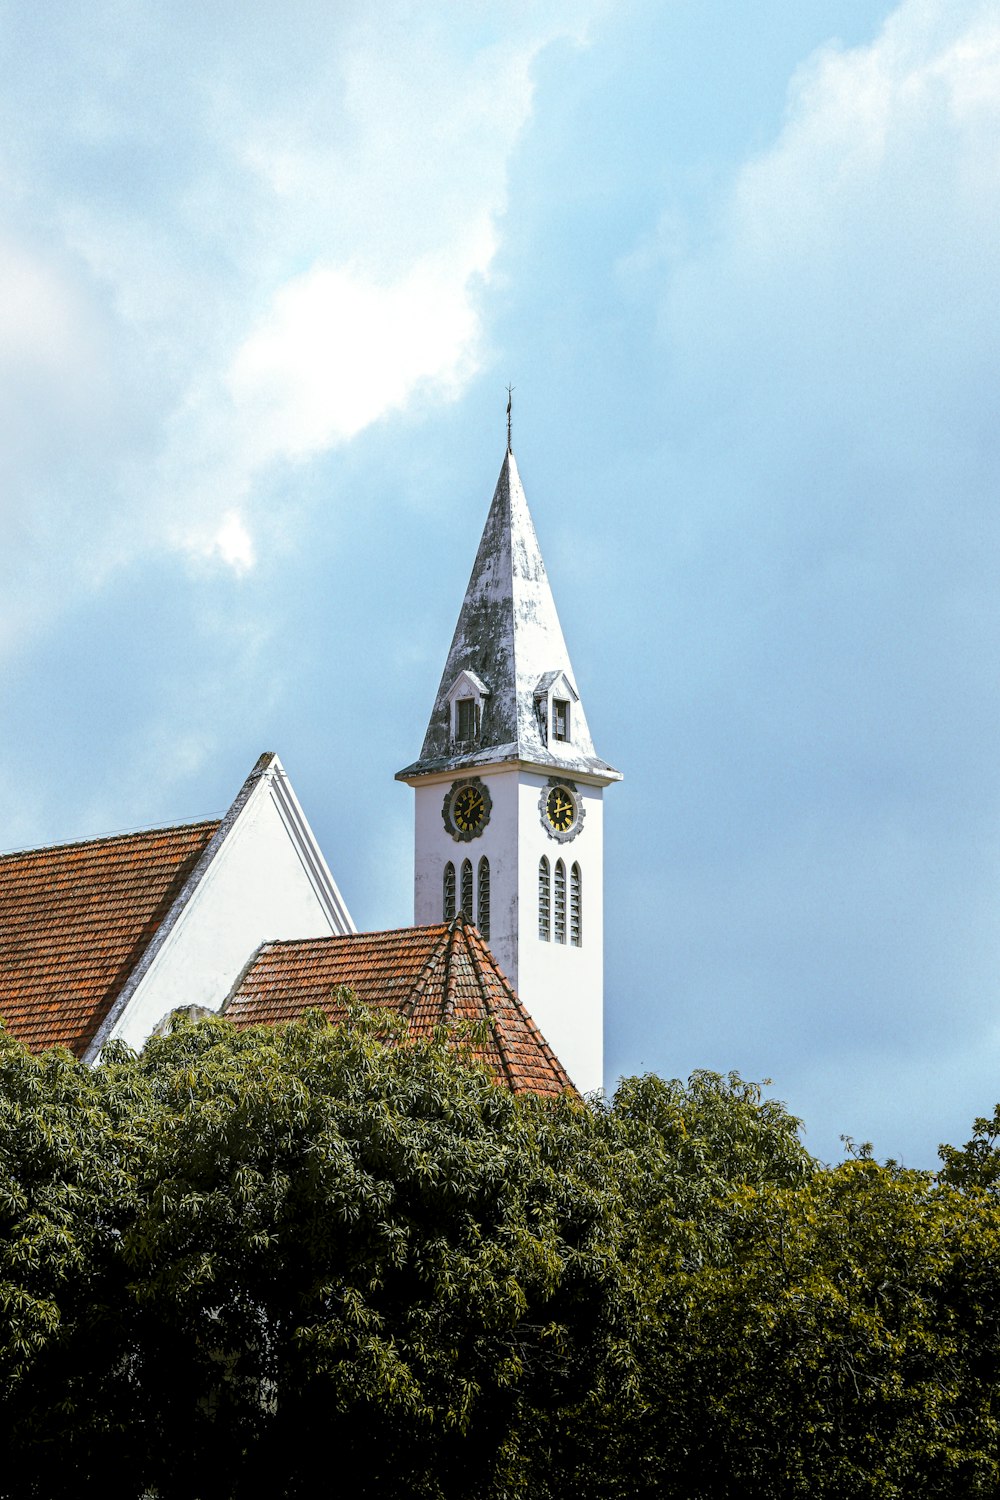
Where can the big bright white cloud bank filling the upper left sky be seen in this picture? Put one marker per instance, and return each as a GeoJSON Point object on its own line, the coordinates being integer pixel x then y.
{"type": "Point", "coordinates": [244, 251]}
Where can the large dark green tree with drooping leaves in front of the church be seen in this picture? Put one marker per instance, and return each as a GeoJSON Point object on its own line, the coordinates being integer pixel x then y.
{"type": "Point", "coordinates": [302, 1247]}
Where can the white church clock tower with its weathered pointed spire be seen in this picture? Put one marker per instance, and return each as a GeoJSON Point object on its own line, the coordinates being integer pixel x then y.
{"type": "Point", "coordinates": [510, 793]}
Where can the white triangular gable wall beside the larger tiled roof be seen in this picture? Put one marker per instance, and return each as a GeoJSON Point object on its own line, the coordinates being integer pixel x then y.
{"type": "Point", "coordinates": [257, 889]}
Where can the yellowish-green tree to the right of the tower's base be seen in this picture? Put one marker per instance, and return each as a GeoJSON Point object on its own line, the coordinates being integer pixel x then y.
{"type": "Point", "coordinates": [809, 1331]}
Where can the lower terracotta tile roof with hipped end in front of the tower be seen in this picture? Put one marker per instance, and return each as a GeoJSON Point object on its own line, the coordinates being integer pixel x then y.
{"type": "Point", "coordinates": [430, 976]}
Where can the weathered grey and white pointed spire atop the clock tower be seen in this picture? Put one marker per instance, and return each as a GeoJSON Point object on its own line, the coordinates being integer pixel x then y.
{"type": "Point", "coordinates": [510, 640]}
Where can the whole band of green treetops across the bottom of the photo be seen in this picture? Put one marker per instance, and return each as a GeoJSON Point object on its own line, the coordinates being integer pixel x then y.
{"type": "Point", "coordinates": [244, 1259]}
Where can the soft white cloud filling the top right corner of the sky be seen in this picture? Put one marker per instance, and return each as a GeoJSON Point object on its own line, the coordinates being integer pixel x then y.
{"type": "Point", "coordinates": [864, 242]}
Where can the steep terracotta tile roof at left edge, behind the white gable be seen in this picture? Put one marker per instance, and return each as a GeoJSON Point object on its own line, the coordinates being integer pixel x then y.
{"type": "Point", "coordinates": [74, 923]}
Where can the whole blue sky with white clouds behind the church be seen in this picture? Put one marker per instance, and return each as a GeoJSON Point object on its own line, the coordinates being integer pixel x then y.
{"type": "Point", "coordinates": [268, 274]}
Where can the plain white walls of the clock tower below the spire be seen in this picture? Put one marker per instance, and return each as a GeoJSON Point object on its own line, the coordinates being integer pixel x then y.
{"type": "Point", "coordinates": [561, 986]}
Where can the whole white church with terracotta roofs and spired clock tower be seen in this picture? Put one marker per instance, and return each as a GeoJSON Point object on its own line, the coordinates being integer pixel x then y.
{"type": "Point", "coordinates": [106, 938]}
